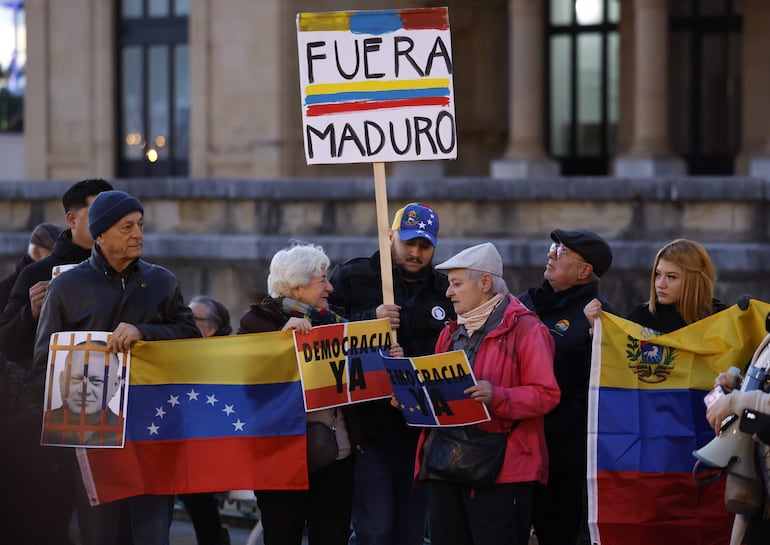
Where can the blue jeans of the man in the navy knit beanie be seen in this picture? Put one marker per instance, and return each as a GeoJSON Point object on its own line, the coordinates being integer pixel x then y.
{"type": "Point", "coordinates": [149, 518]}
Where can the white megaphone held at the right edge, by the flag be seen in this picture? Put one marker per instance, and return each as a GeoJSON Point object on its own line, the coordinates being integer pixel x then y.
{"type": "Point", "coordinates": [732, 450]}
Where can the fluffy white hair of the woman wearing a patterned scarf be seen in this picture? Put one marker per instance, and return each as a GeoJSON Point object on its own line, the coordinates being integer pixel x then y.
{"type": "Point", "coordinates": [294, 267]}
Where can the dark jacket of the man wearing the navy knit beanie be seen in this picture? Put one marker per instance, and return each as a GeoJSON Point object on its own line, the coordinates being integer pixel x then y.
{"type": "Point", "coordinates": [95, 297]}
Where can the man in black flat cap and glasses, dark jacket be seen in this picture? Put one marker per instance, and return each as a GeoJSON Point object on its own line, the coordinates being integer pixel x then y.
{"type": "Point", "coordinates": [576, 260]}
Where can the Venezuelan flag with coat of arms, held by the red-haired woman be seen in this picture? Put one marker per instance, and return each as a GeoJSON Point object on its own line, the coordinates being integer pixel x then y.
{"type": "Point", "coordinates": [646, 416]}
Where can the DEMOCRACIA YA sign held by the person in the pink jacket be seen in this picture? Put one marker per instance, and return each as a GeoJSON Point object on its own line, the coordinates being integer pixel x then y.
{"type": "Point", "coordinates": [429, 389]}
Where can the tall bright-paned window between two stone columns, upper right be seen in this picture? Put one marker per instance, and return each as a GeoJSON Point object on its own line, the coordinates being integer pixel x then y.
{"type": "Point", "coordinates": [582, 83]}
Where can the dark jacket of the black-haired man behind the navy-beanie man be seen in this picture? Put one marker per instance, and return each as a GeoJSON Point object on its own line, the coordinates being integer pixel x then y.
{"type": "Point", "coordinates": [17, 326]}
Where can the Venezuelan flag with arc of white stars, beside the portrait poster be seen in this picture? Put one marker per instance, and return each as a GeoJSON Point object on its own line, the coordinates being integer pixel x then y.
{"type": "Point", "coordinates": [206, 415]}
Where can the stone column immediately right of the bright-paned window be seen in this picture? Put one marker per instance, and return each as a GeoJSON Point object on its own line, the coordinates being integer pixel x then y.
{"type": "Point", "coordinates": [650, 153]}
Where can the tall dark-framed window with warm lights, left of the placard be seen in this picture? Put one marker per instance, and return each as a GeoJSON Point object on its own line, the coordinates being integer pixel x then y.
{"type": "Point", "coordinates": [153, 88]}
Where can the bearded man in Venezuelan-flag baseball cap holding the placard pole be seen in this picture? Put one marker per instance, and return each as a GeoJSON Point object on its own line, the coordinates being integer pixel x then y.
{"type": "Point", "coordinates": [384, 474]}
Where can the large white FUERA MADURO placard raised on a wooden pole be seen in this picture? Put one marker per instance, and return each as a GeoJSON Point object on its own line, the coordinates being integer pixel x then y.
{"type": "Point", "coordinates": [376, 86]}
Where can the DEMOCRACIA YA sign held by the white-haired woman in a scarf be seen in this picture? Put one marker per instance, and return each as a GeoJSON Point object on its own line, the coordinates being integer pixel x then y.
{"type": "Point", "coordinates": [341, 363]}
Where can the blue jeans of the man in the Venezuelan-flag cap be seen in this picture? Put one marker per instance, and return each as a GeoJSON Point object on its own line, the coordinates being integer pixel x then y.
{"type": "Point", "coordinates": [387, 509]}
